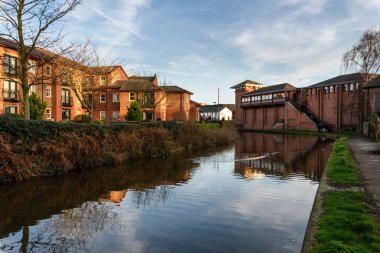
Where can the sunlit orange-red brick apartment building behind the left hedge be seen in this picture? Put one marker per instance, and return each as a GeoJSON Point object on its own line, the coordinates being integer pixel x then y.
{"type": "Point", "coordinates": [111, 94]}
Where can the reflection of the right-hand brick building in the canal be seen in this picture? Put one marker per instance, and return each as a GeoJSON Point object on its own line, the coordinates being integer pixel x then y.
{"type": "Point", "coordinates": [284, 156]}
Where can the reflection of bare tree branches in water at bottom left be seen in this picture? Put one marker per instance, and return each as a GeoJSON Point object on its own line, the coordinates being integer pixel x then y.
{"type": "Point", "coordinates": [72, 231]}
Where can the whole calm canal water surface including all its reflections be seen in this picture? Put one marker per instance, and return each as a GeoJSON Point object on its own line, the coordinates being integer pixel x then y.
{"type": "Point", "coordinates": [253, 197]}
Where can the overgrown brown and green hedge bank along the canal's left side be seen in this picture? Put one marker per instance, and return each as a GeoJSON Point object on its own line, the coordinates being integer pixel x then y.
{"type": "Point", "coordinates": [39, 148]}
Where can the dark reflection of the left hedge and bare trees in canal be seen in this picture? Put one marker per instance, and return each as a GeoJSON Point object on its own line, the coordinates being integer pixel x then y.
{"type": "Point", "coordinates": [81, 200]}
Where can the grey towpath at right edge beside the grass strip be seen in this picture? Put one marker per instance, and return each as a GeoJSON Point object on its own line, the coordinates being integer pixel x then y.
{"type": "Point", "coordinates": [367, 154]}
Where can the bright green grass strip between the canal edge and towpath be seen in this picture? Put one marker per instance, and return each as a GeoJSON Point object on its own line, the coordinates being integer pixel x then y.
{"type": "Point", "coordinates": [346, 223]}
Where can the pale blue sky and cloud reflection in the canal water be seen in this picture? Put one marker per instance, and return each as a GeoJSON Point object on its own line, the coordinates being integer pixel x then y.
{"type": "Point", "coordinates": [213, 212]}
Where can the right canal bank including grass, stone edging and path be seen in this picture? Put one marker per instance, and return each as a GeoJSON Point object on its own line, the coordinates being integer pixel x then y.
{"type": "Point", "coordinates": [342, 218]}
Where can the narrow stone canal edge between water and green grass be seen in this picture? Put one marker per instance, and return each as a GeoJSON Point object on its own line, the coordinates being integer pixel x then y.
{"type": "Point", "coordinates": [315, 213]}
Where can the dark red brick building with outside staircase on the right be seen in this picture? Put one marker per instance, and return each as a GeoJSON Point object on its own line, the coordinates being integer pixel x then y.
{"type": "Point", "coordinates": [337, 104]}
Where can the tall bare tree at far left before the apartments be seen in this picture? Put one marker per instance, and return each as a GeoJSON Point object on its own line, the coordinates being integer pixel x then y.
{"type": "Point", "coordinates": [27, 23]}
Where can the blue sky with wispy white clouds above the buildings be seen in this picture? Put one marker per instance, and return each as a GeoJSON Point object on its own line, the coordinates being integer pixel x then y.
{"type": "Point", "coordinates": [203, 45]}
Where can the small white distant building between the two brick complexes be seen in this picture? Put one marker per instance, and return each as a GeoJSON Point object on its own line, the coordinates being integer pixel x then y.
{"type": "Point", "coordinates": [212, 112]}
